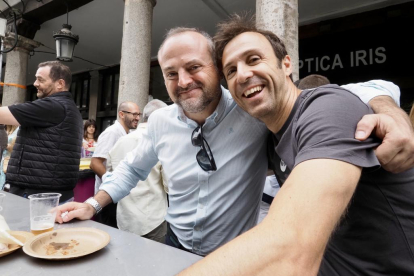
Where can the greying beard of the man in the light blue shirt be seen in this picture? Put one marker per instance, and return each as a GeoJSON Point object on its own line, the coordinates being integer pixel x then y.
{"type": "Point", "coordinates": [195, 105]}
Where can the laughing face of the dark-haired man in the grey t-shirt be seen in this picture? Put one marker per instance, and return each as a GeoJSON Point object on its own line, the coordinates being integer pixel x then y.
{"type": "Point", "coordinates": [257, 80]}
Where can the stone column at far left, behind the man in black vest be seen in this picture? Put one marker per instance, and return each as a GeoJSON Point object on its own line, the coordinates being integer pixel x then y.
{"type": "Point", "coordinates": [16, 68]}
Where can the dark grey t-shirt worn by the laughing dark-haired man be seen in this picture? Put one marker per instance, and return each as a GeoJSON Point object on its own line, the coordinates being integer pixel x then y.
{"type": "Point", "coordinates": [376, 236]}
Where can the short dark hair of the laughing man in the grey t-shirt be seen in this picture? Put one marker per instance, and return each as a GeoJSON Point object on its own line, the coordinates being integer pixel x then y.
{"type": "Point", "coordinates": [238, 24]}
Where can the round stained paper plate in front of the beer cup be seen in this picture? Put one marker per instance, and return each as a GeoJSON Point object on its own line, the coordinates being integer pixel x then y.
{"type": "Point", "coordinates": [67, 243]}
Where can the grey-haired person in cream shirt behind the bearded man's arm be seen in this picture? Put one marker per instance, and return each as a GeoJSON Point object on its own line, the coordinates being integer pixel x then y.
{"type": "Point", "coordinates": [142, 211]}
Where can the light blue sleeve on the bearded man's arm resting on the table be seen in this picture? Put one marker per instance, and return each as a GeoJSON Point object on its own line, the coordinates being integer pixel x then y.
{"type": "Point", "coordinates": [135, 167]}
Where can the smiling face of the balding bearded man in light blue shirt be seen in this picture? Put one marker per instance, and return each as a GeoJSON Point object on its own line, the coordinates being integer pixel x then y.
{"type": "Point", "coordinates": [191, 78]}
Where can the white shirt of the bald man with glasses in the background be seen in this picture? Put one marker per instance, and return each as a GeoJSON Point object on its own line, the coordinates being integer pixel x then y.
{"type": "Point", "coordinates": [107, 140]}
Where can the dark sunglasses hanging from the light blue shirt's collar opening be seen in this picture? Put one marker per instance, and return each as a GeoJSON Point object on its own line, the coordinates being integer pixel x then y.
{"type": "Point", "coordinates": [204, 157]}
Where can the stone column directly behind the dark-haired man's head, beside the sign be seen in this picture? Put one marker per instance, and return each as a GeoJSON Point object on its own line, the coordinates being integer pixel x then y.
{"type": "Point", "coordinates": [281, 17]}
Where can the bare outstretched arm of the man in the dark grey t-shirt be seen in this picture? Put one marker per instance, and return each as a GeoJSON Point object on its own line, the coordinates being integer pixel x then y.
{"type": "Point", "coordinates": [292, 238]}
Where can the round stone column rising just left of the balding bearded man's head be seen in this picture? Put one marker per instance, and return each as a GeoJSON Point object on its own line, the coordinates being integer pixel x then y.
{"type": "Point", "coordinates": [136, 52]}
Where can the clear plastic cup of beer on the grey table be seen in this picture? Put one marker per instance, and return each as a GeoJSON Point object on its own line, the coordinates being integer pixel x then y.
{"type": "Point", "coordinates": [43, 212]}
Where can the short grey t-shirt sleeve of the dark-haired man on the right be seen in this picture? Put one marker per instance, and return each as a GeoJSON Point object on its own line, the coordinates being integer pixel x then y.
{"type": "Point", "coordinates": [326, 126]}
